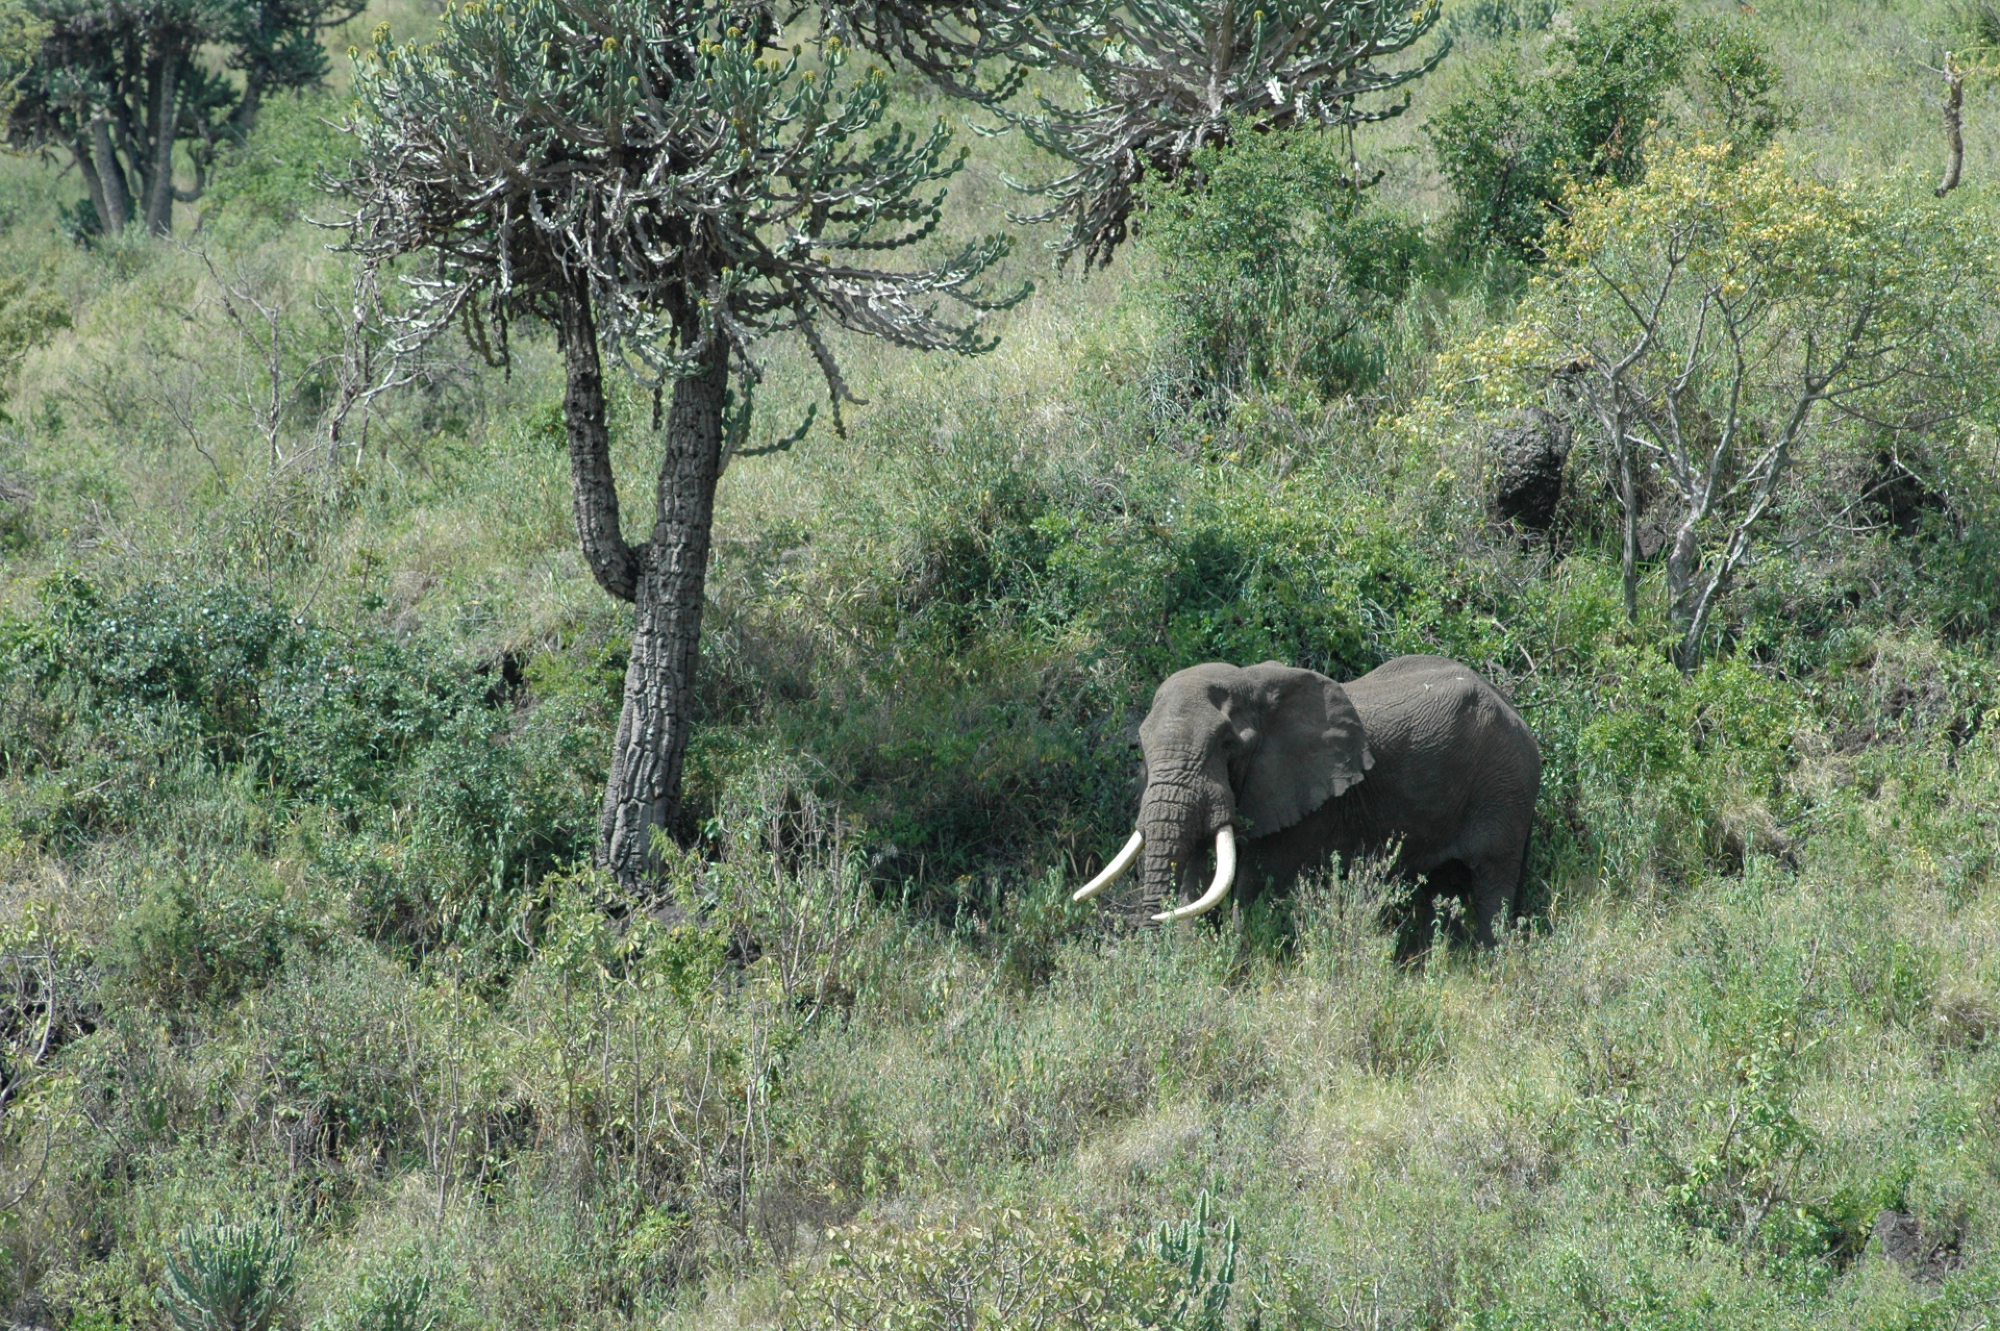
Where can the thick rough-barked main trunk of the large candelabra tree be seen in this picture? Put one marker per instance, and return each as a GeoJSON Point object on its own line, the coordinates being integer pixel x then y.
{"type": "Point", "coordinates": [673, 573]}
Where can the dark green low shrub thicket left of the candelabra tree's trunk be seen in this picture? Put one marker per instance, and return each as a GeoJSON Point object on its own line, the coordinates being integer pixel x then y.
{"type": "Point", "coordinates": [445, 806]}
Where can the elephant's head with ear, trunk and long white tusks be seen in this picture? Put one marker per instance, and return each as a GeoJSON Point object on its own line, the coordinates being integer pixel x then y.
{"type": "Point", "coordinates": [1233, 752]}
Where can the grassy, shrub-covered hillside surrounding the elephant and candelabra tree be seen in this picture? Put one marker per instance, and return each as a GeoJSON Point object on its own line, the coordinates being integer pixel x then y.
{"type": "Point", "coordinates": [317, 1014]}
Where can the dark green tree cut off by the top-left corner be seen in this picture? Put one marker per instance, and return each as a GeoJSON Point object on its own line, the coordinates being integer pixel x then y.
{"type": "Point", "coordinates": [119, 87]}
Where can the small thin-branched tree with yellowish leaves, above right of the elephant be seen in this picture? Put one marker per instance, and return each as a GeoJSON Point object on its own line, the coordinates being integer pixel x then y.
{"type": "Point", "coordinates": [1727, 319]}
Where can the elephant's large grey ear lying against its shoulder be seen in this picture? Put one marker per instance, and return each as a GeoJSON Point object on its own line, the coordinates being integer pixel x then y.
{"type": "Point", "coordinates": [1309, 746]}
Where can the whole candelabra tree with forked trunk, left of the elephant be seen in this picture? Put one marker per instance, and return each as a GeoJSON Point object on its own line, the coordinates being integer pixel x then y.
{"type": "Point", "coordinates": [665, 181]}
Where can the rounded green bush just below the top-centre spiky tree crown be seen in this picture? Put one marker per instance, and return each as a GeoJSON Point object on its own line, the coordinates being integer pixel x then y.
{"type": "Point", "coordinates": [1279, 269]}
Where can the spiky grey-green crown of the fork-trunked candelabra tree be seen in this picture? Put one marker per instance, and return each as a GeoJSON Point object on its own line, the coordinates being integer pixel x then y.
{"type": "Point", "coordinates": [699, 181]}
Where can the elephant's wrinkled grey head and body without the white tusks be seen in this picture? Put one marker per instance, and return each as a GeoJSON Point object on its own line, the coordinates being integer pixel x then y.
{"type": "Point", "coordinates": [1307, 768]}
